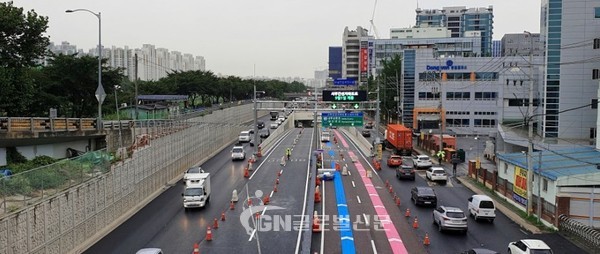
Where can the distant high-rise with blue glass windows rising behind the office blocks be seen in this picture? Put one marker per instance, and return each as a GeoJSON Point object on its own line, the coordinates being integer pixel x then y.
{"type": "Point", "coordinates": [460, 20]}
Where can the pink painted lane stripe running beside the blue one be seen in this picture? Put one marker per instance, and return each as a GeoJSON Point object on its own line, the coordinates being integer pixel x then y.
{"type": "Point", "coordinates": [390, 230]}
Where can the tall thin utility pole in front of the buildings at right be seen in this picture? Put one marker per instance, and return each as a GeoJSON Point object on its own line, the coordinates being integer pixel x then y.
{"type": "Point", "coordinates": [530, 132]}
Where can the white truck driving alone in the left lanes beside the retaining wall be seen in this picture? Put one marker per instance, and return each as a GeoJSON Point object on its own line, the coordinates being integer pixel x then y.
{"type": "Point", "coordinates": [197, 191]}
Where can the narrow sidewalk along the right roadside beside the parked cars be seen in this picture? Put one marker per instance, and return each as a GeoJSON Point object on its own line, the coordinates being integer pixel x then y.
{"type": "Point", "coordinates": [462, 178]}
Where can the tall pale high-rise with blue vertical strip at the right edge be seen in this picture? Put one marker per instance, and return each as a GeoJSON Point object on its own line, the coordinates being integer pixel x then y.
{"type": "Point", "coordinates": [569, 30]}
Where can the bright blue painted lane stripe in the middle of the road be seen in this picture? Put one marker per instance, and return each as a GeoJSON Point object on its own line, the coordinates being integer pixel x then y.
{"type": "Point", "coordinates": [345, 227]}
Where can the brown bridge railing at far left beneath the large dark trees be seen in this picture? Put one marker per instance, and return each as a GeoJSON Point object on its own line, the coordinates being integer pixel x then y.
{"type": "Point", "coordinates": [45, 124]}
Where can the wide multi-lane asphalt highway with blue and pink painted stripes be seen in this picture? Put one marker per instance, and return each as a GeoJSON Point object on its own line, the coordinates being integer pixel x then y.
{"type": "Point", "coordinates": [358, 213]}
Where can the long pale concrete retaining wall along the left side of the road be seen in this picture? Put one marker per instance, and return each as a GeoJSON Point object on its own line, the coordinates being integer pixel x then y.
{"type": "Point", "coordinates": [74, 219]}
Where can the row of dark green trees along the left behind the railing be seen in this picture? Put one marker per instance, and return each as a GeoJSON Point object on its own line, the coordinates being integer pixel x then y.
{"type": "Point", "coordinates": [68, 82]}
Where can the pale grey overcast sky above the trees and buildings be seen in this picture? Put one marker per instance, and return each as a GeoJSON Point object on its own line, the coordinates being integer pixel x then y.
{"type": "Point", "coordinates": [282, 38]}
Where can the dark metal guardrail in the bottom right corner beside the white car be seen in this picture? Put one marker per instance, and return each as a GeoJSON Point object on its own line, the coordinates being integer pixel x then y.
{"type": "Point", "coordinates": [588, 235]}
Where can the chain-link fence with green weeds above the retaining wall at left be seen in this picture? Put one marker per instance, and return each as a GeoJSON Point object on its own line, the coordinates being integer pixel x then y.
{"type": "Point", "coordinates": [31, 186]}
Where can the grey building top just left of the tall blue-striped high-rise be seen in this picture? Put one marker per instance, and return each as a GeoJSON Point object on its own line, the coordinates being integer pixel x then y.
{"type": "Point", "coordinates": [521, 44]}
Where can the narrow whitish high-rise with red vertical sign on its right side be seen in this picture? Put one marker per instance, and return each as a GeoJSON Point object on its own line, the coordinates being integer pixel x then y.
{"type": "Point", "coordinates": [352, 54]}
